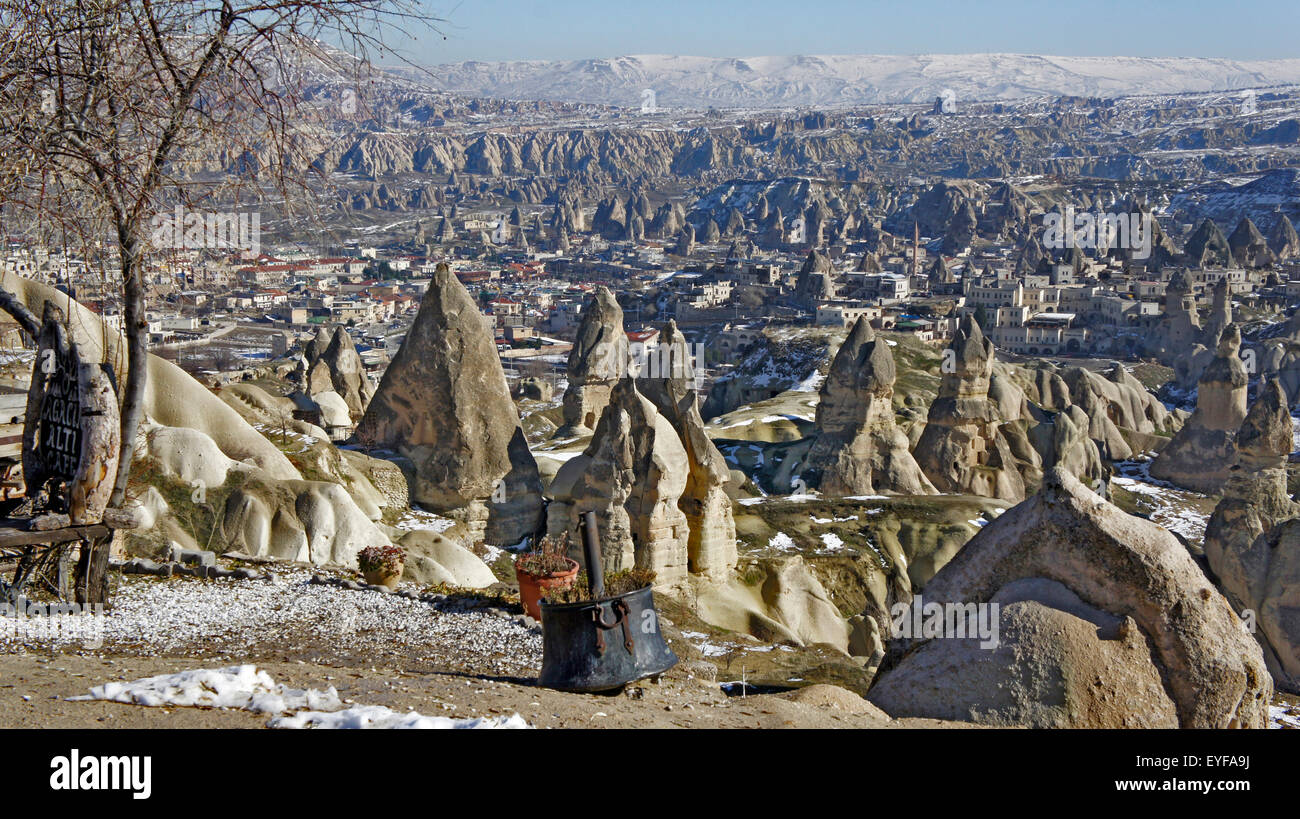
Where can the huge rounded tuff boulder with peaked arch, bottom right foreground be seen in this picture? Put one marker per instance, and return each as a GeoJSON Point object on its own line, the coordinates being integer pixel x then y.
{"type": "Point", "coordinates": [1106, 621]}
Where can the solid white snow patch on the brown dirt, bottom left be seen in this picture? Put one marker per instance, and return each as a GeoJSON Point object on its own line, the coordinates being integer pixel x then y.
{"type": "Point", "coordinates": [249, 688]}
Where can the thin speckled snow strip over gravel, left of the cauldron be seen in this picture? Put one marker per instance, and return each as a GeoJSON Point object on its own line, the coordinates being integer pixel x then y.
{"type": "Point", "coordinates": [205, 618]}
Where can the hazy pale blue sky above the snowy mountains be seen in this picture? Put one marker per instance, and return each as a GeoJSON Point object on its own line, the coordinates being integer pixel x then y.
{"type": "Point", "coordinates": [574, 29]}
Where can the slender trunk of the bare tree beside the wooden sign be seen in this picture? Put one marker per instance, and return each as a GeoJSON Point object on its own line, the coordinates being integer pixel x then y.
{"type": "Point", "coordinates": [137, 357]}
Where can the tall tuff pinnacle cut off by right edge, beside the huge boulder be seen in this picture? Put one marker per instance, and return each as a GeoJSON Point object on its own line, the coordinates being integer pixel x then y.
{"type": "Point", "coordinates": [1253, 541]}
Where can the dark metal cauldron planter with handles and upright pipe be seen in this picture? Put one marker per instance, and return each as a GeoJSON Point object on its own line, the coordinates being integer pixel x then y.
{"type": "Point", "coordinates": [606, 643]}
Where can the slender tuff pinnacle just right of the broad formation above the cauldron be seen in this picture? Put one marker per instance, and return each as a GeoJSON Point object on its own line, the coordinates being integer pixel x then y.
{"type": "Point", "coordinates": [712, 545]}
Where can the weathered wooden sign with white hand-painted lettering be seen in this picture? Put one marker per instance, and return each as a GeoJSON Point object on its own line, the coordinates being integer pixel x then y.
{"type": "Point", "coordinates": [71, 437]}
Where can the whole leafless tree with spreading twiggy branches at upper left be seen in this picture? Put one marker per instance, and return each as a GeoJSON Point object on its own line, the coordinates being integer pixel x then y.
{"type": "Point", "coordinates": [115, 112]}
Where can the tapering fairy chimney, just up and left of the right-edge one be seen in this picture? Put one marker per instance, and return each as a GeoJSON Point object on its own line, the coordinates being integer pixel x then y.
{"type": "Point", "coordinates": [1203, 452]}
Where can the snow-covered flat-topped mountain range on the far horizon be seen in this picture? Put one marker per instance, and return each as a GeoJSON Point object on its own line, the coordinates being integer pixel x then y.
{"type": "Point", "coordinates": [835, 81]}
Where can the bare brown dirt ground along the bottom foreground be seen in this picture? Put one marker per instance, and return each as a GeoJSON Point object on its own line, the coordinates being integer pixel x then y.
{"type": "Point", "coordinates": [34, 690]}
